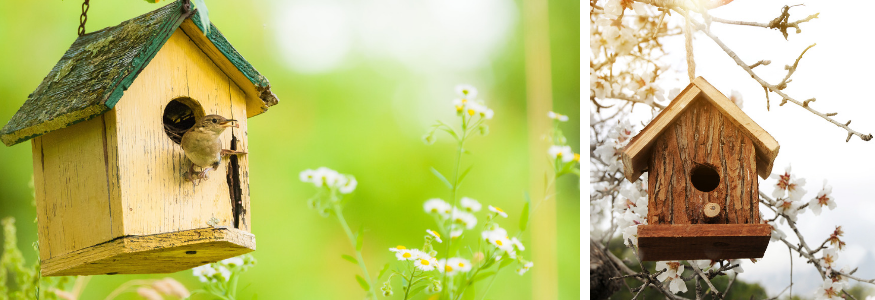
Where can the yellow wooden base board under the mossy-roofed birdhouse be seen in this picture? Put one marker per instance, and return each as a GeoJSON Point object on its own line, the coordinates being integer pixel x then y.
{"type": "Point", "coordinates": [149, 254]}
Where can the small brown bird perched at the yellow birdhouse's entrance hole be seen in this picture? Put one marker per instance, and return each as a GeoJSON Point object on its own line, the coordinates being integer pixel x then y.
{"type": "Point", "coordinates": [203, 147]}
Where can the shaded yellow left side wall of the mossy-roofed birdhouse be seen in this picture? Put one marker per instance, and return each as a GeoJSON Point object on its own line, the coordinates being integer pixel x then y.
{"type": "Point", "coordinates": [73, 189]}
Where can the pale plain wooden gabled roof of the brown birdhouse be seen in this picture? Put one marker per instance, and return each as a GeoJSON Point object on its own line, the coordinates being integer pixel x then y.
{"type": "Point", "coordinates": [636, 154]}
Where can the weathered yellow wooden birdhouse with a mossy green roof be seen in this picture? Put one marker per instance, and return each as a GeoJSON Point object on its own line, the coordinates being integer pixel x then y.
{"type": "Point", "coordinates": [108, 171]}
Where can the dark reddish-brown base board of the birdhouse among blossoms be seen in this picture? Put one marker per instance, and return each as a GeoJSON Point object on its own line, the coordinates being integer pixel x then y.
{"type": "Point", "coordinates": [702, 241]}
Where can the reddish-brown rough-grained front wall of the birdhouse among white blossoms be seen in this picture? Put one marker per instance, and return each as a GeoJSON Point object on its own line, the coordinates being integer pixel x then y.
{"type": "Point", "coordinates": [702, 137]}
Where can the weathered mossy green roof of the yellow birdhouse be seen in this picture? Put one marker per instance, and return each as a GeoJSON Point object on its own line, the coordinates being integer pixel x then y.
{"type": "Point", "coordinates": [94, 73]}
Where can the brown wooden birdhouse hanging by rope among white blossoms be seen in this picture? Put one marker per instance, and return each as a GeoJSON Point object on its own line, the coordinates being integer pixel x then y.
{"type": "Point", "coordinates": [702, 155]}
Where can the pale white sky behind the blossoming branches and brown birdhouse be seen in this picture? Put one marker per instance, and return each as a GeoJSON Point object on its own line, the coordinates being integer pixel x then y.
{"type": "Point", "coordinates": [836, 72]}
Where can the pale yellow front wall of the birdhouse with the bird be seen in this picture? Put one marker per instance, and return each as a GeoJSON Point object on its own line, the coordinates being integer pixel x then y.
{"type": "Point", "coordinates": [155, 197]}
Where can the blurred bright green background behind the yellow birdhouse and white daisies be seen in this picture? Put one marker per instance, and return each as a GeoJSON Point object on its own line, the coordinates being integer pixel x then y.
{"type": "Point", "coordinates": [359, 83]}
